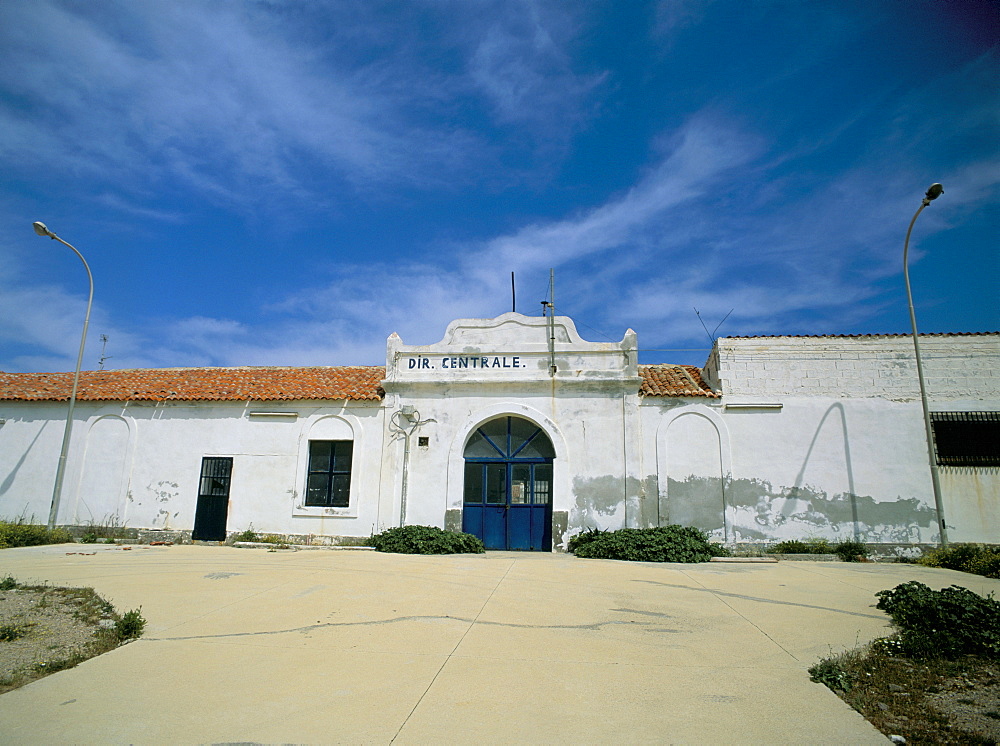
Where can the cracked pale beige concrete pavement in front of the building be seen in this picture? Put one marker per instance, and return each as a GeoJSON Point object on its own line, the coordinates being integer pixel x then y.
{"type": "Point", "coordinates": [246, 645]}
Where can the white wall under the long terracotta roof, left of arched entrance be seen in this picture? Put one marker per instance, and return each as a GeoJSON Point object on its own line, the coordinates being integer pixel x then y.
{"type": "Point", "coordinates": [140, 463]}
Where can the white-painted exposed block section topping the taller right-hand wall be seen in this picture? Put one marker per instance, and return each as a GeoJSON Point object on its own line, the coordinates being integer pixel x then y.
{"type": "Point", "coordinates": [956, 367]}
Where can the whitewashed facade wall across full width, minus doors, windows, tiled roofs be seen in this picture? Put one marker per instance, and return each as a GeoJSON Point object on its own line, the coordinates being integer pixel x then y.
{"type": "Point", "coordinates": [814, 437]}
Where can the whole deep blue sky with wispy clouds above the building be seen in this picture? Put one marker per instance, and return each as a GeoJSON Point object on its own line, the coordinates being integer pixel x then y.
{"type": "Point", "coordinates": [287, 183]}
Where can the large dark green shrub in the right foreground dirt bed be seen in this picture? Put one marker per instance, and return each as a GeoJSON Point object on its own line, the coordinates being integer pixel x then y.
{"type": "Point", "coordinates": [948, 623]}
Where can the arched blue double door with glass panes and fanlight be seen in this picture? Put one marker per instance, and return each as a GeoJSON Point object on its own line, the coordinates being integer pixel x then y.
{"type": "Point", "coordinates": [508, 485]}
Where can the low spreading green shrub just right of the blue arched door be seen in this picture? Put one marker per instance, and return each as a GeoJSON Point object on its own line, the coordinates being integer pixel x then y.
{"type": "Point", "coordinates": [661, 544]}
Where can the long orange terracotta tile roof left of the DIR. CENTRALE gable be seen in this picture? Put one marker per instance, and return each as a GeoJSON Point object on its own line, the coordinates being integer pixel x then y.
{"type": "Point", "coordinates": [204, 384]}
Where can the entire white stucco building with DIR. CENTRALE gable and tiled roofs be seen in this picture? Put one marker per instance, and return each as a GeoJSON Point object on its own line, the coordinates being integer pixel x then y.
{"type": "Point", "coordinates": [521, 432]}
